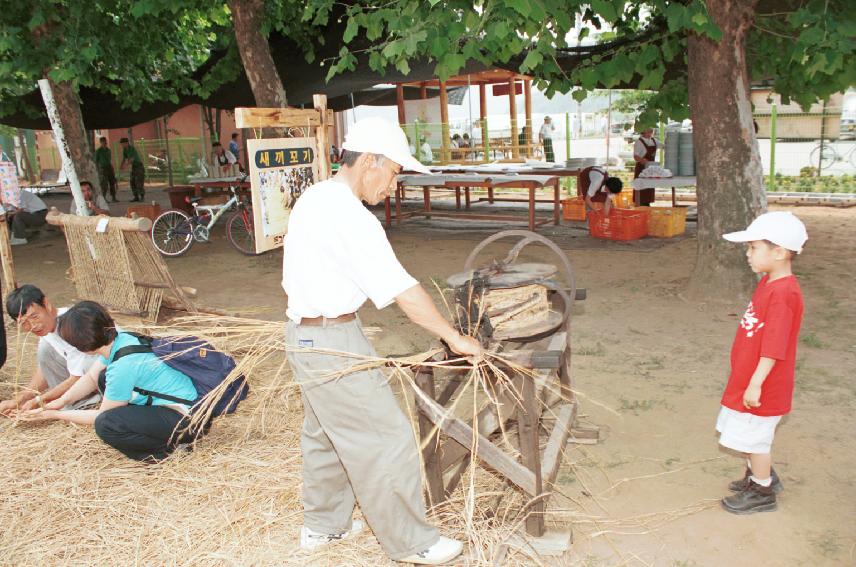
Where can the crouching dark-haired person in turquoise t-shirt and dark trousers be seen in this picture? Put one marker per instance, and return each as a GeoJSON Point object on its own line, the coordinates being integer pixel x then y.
{"type": "Point", "coordinates": [143, 427]}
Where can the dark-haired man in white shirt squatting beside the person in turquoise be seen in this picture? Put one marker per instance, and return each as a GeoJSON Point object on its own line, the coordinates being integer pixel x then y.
{"type": "Point", "coordinates": [59, 364]}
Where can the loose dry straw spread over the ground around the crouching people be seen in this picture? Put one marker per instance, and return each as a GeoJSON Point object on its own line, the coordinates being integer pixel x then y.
{"type": "Point", "coordinates": [68, 499]}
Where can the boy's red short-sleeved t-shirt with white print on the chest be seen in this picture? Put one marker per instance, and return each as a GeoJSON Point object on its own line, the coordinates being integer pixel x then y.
{"type": "Point", "coordinates": [769, 328]}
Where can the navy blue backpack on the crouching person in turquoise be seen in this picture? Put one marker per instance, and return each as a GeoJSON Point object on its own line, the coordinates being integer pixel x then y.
{"type": "Point", "coordinates": [206, 367]}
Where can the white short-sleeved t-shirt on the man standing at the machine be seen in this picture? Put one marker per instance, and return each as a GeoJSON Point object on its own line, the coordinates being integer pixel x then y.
{"type": "Point", "coordinates": [337, 256]}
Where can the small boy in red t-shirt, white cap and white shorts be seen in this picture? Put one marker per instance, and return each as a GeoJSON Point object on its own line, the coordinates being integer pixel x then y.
{"type": "Point", "coordinates": [763, 359]}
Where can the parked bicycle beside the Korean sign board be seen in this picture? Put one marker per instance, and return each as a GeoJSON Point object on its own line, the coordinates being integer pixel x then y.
{"type": "Point", "coordinates": [174, 231]}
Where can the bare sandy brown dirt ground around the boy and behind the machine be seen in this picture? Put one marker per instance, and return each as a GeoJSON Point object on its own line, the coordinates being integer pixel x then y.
{"type": "Point", "coordinates": [651, 366]}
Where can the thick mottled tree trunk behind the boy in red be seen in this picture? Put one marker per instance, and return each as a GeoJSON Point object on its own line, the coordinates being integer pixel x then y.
{"type": "Point", "coordinates": [730, 177]}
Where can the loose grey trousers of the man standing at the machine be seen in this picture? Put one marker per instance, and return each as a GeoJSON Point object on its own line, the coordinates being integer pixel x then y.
{"type": "Point", "coordinates": [357, 444]}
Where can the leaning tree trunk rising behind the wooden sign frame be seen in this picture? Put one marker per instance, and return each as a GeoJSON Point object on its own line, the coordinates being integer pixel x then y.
{"type": "Point", "coordinates": [247, 18]}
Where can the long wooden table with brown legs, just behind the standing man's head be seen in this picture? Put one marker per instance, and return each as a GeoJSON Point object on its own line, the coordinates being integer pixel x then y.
{"type": "Point", "coordinates": [457, 182]}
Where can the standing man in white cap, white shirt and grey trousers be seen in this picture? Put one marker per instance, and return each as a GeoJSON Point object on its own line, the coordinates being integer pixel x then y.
{"type": "Point", "coordinates": [357, 444]}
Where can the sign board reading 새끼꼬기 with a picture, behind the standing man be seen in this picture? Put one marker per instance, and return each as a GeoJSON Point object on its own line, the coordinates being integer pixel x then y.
{"type": "Point", "coordinates": [281, 169]}
